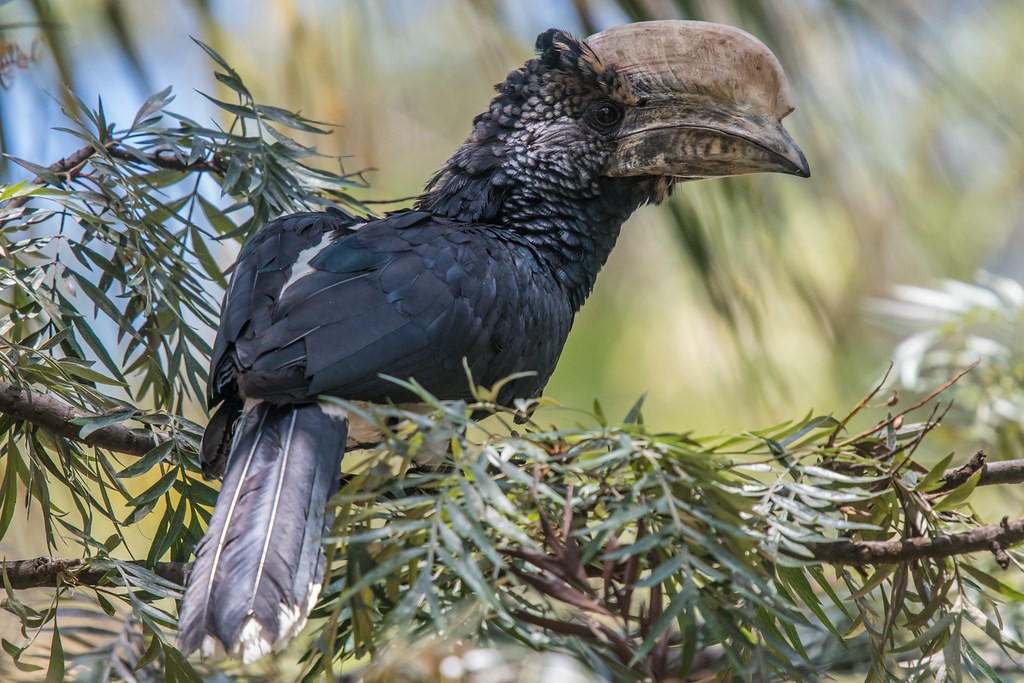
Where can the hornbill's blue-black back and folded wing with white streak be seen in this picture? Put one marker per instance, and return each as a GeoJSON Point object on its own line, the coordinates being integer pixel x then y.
{"type": "Point", "coordinates": [321, 306]}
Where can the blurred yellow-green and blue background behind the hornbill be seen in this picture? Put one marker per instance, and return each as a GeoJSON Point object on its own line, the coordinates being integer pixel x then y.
{"type": "Point", "coordinates": [741, 305]}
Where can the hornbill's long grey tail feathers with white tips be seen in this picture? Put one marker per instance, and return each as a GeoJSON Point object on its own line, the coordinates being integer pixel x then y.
{"type": "Point", "coordinates": [260, 568]}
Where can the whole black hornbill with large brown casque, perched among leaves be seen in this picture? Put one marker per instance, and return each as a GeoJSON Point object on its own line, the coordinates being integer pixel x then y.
{"type": "Point", "coordinates": [486, 273]}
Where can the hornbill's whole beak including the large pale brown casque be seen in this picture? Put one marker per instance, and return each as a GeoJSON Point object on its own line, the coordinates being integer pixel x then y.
{"type": "Point", "coordinates": [708, 101]}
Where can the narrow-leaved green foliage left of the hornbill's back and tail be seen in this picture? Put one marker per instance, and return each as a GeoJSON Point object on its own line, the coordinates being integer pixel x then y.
{"type": "Point", "coordinates": [109, 282]}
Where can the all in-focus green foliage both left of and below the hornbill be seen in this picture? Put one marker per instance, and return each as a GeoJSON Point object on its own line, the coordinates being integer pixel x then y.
{"type": "Point", "coordinates": [642, 554]}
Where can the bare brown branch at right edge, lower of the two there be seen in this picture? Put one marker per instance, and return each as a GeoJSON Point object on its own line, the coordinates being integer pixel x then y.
{"type": "Point", "coordinates": [993, 538]}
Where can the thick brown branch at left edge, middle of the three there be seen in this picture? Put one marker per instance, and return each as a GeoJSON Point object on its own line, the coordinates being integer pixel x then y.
{"type": "Point", "coordinates": [55, 416]}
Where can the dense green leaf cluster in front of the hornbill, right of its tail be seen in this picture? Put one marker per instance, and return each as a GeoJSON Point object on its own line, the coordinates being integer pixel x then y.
{"type": "Point", "coordinates": [646, 556]}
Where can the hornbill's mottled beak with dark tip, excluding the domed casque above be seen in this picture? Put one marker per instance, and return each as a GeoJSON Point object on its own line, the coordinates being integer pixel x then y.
{"type": "Point", "coordinates": [703, 140]}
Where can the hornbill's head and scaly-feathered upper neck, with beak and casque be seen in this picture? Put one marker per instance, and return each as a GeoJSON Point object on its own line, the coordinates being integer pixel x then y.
{"type": "Point", "coordinates": [624, 114]}
